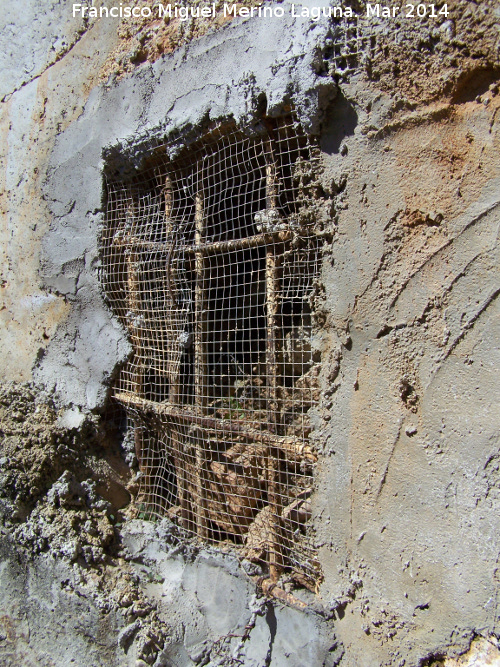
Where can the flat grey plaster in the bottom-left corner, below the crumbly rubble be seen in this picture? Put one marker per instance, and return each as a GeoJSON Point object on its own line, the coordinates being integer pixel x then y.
{"type": "Point", "coordinates": [48, 609]}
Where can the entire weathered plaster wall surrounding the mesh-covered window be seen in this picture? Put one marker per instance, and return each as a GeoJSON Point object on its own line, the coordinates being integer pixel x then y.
{"type": "Point", "coordinates": [408, 488]}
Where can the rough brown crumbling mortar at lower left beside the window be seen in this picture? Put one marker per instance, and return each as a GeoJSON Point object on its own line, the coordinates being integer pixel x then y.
{"type": "Point", "coordinates": [51, 509]}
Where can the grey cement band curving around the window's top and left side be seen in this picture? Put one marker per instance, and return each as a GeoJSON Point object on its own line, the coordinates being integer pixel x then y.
{"type": "Point", "coordinates": [220, 76]}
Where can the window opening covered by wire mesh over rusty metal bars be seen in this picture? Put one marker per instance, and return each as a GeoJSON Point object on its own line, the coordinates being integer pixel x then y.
{"type": "Point", "coordinates": [211, 264]}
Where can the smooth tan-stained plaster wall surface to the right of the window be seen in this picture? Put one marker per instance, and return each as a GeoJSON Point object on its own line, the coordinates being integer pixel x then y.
{"type": "Point", "coordinates": [407, 504]}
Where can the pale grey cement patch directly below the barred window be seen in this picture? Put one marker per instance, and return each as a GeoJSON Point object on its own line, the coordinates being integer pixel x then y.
{"type": "Point", "coordinates": [213, 600]}
